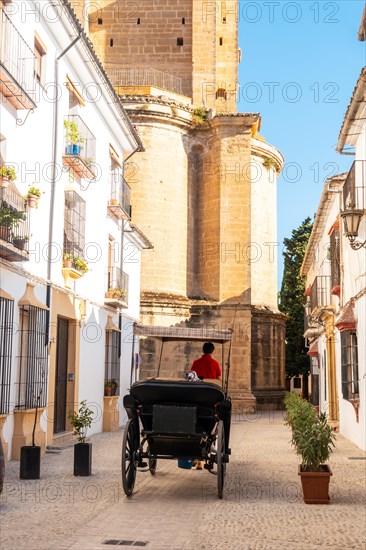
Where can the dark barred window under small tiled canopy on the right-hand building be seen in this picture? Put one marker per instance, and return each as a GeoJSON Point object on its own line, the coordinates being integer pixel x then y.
{"type": "Point", "coordinates": [349, 359]}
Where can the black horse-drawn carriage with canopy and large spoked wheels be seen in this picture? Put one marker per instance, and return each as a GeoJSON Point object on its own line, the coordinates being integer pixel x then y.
{"type": "Point", "coordinates": [177, 419]}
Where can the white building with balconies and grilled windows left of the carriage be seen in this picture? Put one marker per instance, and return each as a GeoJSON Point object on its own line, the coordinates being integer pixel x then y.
{"type": "Point", "coordinates": [70, 267]}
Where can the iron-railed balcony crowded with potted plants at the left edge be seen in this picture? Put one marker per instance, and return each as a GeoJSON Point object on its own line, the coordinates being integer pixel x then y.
{"type": "Point", "coordinates": [14, 225]}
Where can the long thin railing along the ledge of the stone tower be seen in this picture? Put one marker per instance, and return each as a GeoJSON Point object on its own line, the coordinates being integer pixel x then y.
{"type": "Point", "coordinates": [144, 76]}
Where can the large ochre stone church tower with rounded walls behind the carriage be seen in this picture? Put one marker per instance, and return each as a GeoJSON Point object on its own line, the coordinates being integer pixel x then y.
{"type": "Point", "coordinates": [204, 190]}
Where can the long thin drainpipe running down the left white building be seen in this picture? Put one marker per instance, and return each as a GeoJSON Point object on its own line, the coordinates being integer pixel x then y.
{"type": "Point", "coordinates": [53, 185]}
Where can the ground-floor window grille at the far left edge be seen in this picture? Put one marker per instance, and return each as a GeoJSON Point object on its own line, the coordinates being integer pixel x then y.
{"type": "Point", "coordinates": [6, 344]}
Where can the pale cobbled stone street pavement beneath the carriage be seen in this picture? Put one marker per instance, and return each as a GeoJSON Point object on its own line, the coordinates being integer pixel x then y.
{"type": "Point", "coordinates": [179, 509]}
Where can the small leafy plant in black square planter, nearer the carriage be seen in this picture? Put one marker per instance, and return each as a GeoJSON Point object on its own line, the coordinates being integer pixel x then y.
{"type": "Point", "coordinates": [81, 421]}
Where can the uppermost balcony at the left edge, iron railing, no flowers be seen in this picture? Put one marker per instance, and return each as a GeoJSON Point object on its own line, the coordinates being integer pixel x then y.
{"type": "Point", "coordinates": [17, 62]}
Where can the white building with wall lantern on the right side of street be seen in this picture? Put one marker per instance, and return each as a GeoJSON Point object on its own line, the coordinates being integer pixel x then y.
{"type": "Point", "coordinates": [335, 268]}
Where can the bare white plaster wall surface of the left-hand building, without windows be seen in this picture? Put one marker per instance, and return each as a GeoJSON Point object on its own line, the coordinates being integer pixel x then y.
{"type": "Point", "coordinates": [29, 148]}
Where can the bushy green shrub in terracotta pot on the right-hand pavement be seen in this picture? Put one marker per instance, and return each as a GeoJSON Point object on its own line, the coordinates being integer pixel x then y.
{"type": "Point", "coordinates": [313, 440]}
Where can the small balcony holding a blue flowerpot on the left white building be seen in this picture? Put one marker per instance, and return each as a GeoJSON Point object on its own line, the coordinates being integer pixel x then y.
{"type": "Point", "coordinates": [80, 145]}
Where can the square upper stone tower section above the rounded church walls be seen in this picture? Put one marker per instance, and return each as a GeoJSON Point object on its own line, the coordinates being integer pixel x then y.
{"type": "Point", "coordinates": [193, 41]}
